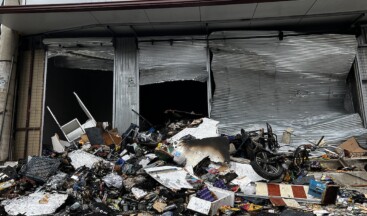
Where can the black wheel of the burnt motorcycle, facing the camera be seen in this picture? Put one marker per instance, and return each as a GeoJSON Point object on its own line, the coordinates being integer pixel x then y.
{"type": "Point", "coordinates": [268, 171]}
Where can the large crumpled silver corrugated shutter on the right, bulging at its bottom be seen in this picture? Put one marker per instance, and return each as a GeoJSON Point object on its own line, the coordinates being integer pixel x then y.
{"type": "Point", "coordinates": [296, 82]}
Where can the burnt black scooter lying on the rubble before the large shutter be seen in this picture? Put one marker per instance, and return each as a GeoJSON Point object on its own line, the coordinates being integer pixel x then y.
{"type": "Point", "coordinates": [261, 148]}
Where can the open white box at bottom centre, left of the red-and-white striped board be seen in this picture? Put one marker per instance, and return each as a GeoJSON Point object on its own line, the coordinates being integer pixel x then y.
{"type": "Point", "coordinates": [211, 208]}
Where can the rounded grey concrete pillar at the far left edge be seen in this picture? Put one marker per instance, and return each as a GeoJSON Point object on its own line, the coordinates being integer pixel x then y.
{"type": "Point", "coordinates": [8, 59]}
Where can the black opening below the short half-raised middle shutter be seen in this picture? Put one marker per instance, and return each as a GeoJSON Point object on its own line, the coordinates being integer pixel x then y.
{"type": "Point", "coordinates": [187, 96]}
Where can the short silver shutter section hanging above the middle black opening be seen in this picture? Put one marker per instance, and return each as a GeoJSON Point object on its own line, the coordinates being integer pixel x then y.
{"type": "Point", "coordinates": [181, 59]}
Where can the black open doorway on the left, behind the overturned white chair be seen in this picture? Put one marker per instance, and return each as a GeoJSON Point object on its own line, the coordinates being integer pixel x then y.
{"type": "Point", "coordinates": [94, 87]}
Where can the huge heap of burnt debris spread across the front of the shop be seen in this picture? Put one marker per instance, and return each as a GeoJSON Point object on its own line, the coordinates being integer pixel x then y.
{"type": "Point", "coordinates": [183, 168]}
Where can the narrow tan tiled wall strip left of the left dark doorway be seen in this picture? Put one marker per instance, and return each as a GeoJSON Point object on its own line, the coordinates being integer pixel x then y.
{"type": "Point", "coordinates": [32, 131]}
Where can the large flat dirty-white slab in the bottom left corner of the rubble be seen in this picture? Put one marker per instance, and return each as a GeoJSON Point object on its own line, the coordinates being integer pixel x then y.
{"type": "Point", "coordinates": [31, 205]}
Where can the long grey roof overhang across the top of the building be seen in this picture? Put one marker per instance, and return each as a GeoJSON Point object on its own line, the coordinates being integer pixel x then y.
{"type": "Point", "coordinates": [167, 17]}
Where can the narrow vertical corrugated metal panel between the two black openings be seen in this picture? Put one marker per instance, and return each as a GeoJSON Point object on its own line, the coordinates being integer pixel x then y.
{"type": "Point", "coordinates": [126, 84]}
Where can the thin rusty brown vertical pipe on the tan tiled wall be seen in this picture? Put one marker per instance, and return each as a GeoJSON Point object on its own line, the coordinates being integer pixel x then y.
{"type": "Point", "coordinates": [29, 100]}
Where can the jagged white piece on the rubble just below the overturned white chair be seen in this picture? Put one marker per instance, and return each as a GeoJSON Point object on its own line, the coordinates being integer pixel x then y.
{"type": "Point", "coordinates": [81, 158]}
